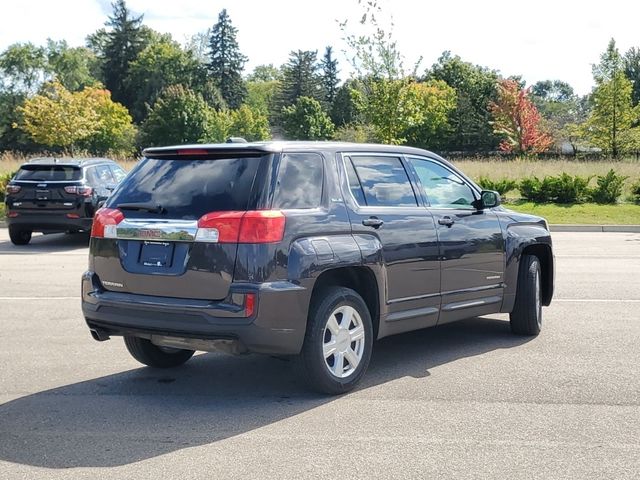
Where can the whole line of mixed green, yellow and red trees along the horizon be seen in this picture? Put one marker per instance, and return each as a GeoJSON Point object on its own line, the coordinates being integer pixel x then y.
{"type": "Point", "coordinates": [130, 87]}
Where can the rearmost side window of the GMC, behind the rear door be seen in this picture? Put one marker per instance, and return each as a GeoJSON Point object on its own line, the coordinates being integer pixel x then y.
{"type": "Point", "coordinates": [300, 179]}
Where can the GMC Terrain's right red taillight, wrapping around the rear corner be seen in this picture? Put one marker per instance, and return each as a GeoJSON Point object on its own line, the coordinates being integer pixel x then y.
{"type": "Point", "coordinates": [257, 226]}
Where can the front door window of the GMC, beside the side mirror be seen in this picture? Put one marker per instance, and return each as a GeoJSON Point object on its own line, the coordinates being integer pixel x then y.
{"type": "Point", "coordinates": [443, 187]}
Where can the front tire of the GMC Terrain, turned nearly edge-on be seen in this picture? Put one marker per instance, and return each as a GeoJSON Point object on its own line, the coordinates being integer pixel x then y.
{"type": "Point", "coordinates": [526, 316]}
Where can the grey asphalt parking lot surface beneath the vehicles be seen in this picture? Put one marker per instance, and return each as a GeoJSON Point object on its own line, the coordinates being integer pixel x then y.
{"type": "Point", "coordinates": [466, 400]}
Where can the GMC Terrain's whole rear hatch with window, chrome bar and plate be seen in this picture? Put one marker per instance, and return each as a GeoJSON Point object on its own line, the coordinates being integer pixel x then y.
{"type": "Point", "coordinates": [151, 237]}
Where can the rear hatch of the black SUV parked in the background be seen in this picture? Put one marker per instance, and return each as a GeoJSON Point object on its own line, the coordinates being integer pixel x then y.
{"type": "Point", "coordinates": [43, 188]}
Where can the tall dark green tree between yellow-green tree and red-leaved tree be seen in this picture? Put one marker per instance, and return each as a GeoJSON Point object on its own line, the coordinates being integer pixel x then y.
{"type": "Point", "coordinates": [475, 88]}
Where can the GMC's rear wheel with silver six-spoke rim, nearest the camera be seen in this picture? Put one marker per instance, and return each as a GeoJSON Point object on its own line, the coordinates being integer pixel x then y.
{"type": "Point", "coordinates": [338, 342]}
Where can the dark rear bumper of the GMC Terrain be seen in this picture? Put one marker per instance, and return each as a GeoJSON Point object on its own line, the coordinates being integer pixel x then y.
{"type": "Point", "coordinates": [276, 327]}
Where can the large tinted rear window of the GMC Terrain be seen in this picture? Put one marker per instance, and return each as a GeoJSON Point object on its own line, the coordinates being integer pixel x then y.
{"type": "Point", "coordinates": [187, 189]}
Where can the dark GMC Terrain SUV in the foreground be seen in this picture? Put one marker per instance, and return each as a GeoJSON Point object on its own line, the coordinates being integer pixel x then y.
{"type": "Point", "coordinates": [307, 249]}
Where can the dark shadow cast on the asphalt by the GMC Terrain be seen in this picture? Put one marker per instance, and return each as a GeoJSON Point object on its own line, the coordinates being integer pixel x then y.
{"type": "Point", "coordinates": [131, 416]}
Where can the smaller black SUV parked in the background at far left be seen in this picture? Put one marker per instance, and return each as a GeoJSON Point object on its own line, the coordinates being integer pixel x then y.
{"type": "Point", "coordinates": [51, 195]}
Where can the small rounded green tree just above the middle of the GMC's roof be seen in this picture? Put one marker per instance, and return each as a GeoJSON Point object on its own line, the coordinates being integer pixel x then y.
{"type": "Point", "coordinates": [306, 120]}
